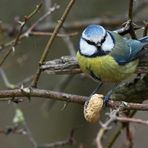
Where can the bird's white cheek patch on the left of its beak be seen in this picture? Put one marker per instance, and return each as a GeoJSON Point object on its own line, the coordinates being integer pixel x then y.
{"type": "Point", "coordinates": [87, 49]}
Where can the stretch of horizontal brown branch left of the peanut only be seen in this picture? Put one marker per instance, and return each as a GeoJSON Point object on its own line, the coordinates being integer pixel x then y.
{"type": "Point", "coordinates": [10, 95]}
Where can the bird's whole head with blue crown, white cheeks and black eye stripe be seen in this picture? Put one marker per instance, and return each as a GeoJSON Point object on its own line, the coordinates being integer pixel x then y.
{"type": "Point", "coordinates": [95, 41]}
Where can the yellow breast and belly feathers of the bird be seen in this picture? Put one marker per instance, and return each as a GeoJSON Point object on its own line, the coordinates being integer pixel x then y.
{"type": "Point", "coordinates": [106, 68]}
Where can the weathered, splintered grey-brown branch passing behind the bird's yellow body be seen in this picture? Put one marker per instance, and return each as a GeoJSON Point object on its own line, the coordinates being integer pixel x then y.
{"type": "Point", "coordinates": [69, 65]}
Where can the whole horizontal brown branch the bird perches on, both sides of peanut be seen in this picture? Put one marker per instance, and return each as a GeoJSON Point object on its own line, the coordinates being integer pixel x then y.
{"type": "Point", "coordinates": [15, 94]}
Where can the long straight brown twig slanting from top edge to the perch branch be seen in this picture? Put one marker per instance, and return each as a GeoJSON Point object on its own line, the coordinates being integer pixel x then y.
{"type": "Point", "coordinates": [50, 41]}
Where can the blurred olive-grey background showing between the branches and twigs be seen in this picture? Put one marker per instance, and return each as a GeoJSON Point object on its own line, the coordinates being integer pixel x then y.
{"type": "Point", "coordinates": [47, 122]}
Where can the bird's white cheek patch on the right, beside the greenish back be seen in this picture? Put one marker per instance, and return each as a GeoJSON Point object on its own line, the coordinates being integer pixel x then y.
{"type": "Point", "coordinates": [108, 43]}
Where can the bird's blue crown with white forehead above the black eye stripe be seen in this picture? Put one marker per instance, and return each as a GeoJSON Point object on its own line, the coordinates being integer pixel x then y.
{"type": "Point", "coordinates": [94, 32]}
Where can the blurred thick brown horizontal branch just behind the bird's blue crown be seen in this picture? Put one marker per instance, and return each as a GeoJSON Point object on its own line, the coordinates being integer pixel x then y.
{"type": "Point", "coordinates": [112, 22]}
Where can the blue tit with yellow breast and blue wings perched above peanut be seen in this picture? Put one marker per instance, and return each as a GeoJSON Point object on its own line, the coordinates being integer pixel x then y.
{"type": "Point", "coordinates": [107, 56]}
